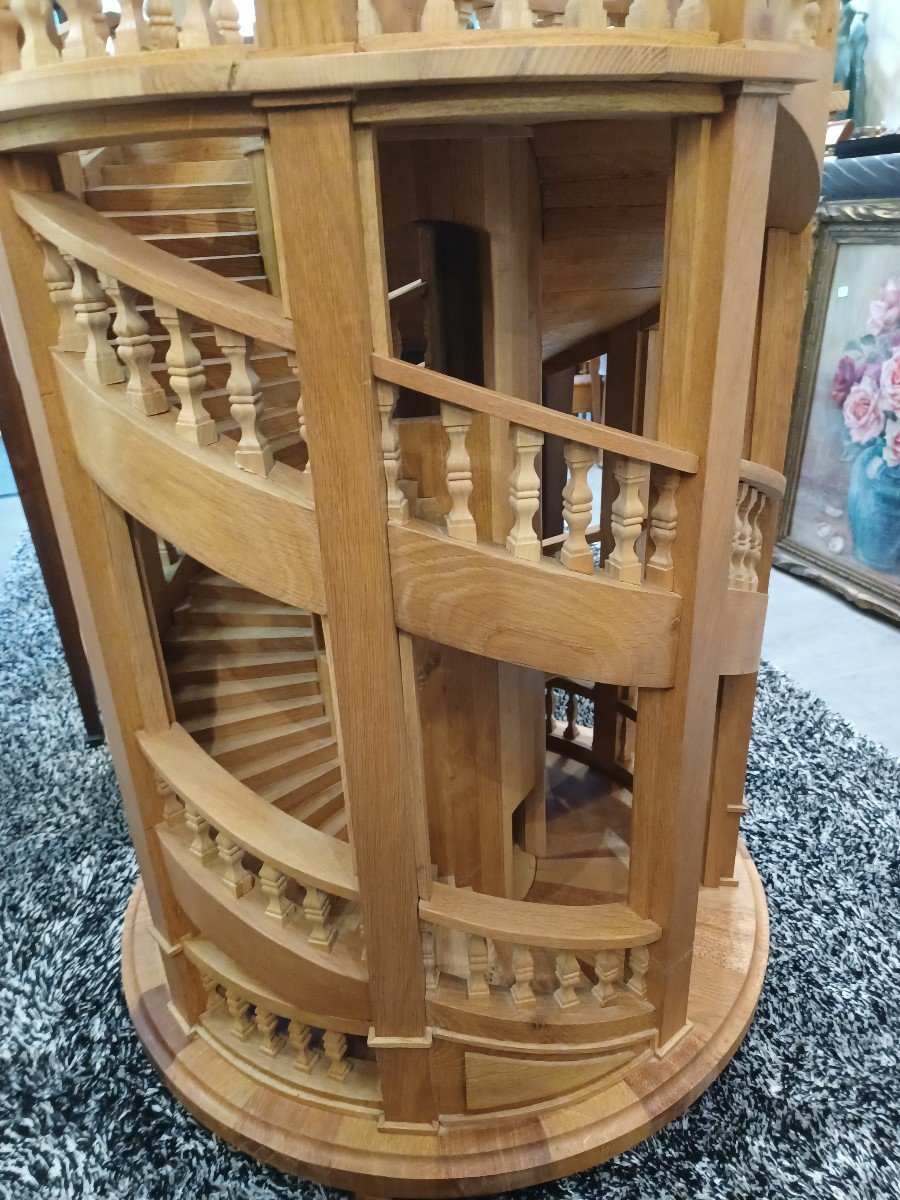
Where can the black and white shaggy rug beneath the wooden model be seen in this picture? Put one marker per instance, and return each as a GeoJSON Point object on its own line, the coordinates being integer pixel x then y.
{"type": "Point", "coordinates": [811, 1106]}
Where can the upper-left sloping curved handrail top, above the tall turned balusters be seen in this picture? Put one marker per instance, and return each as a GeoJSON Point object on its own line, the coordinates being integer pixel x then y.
{"type": "Point", "coordinates": [77, 230]}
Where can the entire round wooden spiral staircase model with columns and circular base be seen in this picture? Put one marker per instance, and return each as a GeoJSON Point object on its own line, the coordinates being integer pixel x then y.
{"type": "Point", "coordinates": [297, 317]}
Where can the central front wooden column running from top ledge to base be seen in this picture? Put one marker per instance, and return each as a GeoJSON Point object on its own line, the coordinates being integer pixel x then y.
{"type": "Point", "coordinates": [327, 188]}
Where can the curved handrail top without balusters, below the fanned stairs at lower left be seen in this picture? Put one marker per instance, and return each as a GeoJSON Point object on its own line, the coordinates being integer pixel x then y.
{"type": "Point", "coordinates": [297, 850]}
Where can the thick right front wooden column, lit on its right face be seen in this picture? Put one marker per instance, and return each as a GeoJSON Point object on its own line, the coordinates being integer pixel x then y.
{"type": "Point", "coordinates": [712, 279]}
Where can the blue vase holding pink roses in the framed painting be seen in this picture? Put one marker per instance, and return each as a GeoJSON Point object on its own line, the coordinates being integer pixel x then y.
{"type": "Point", "coordinates": [874, 509]}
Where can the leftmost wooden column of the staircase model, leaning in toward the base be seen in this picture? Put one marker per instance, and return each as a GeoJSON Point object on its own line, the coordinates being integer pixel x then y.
{"type": "Point", "coordinates": [100, 562]}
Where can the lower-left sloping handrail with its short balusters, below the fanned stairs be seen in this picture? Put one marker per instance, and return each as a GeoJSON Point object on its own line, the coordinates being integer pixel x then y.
{"type": "Point", "coordinates": [231, 826]}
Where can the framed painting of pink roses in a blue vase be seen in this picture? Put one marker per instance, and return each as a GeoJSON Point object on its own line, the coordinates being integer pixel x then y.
{"type": "Point", "coordinates": [841, 521]}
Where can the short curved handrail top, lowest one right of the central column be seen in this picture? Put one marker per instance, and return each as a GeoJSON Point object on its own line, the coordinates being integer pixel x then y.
{"type": "Point", "coordinates": [589, 928]}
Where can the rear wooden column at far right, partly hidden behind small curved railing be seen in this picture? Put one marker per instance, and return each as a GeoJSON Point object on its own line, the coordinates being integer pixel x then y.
{"type": "Point", "coordinates": [785, 278]}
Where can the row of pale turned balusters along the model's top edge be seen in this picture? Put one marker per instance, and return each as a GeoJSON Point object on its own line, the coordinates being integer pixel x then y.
{"type": "Point", "coordinates": [91, 33]}
